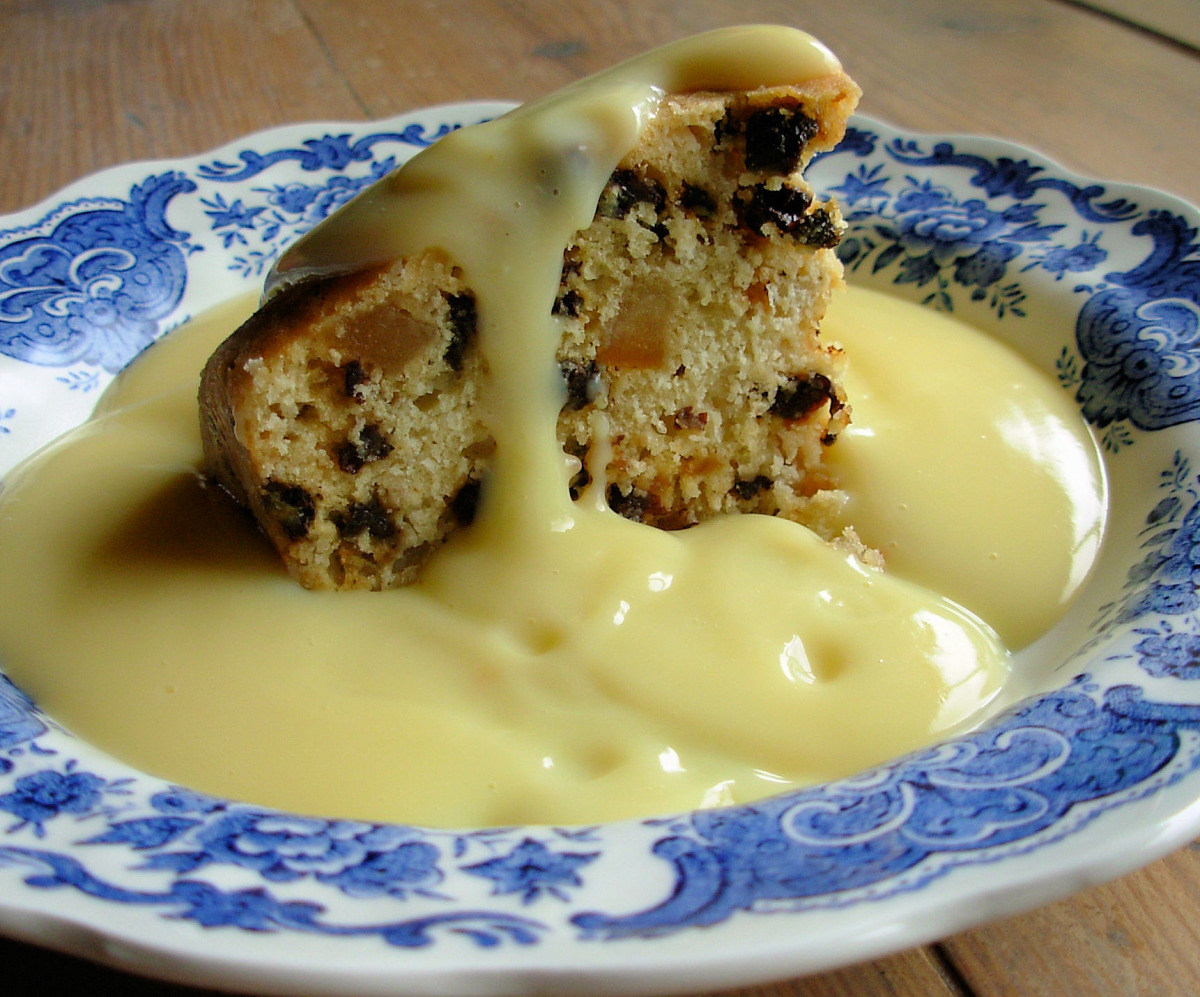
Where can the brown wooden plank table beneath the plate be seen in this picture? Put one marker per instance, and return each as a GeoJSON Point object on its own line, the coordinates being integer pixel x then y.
{"type": "Point", "coordinates": [1111, 89]}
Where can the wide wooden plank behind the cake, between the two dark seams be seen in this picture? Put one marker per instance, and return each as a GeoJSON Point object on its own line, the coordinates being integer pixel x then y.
{"type": "Point", "coordinates": [1094, 95]}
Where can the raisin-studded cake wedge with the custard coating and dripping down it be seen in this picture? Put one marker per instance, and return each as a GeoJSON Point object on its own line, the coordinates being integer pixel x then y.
{"type": "Point", "coordinates": [362, 413]}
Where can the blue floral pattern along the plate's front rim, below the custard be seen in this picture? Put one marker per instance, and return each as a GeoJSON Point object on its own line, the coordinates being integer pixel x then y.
{"type": "Point", "coordinates": [1052, 765]}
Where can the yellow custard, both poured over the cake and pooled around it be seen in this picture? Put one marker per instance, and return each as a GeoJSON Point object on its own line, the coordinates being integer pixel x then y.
{"type": "Point", "coordinates": [556, 663]}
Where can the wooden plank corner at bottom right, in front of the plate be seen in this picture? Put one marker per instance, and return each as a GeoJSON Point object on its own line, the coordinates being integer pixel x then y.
{"type": "Point", "coordinates": [1135, 938]}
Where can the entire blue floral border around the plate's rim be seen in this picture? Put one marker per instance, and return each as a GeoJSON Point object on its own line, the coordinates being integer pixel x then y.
{"type": "Point", "coordinates": [93, 281]}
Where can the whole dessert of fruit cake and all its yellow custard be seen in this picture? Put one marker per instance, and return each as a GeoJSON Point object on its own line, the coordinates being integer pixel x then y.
{"type": "Point", "coordinates": [614, 283]}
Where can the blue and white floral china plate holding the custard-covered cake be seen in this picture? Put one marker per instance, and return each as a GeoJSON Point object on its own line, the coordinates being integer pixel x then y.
{"type": "Point", "coordinates": [1096, 774]}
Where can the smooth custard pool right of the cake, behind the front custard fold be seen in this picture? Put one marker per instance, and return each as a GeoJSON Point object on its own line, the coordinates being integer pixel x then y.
{"type": "Point", "coordinates": [974, 475]}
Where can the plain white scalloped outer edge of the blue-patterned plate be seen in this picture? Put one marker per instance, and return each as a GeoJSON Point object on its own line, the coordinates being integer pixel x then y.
{"type": "Point", "coordinates": [190, 964]}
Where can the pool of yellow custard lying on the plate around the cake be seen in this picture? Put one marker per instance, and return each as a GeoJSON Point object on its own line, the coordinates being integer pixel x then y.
{"type": "Point", "coordinates": [718, 665]}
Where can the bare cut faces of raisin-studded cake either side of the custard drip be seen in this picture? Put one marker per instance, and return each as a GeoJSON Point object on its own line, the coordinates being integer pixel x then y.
{"type": "Point", "coordinates": [343, 413]}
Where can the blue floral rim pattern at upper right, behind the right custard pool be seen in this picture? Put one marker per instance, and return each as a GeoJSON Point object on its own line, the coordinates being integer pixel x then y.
{"type": "Point", "coordinates": [967, 227]}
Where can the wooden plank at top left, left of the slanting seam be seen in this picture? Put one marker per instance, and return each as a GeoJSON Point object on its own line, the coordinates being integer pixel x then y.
{"type": "Point", "coordinates": [88, 86]}
